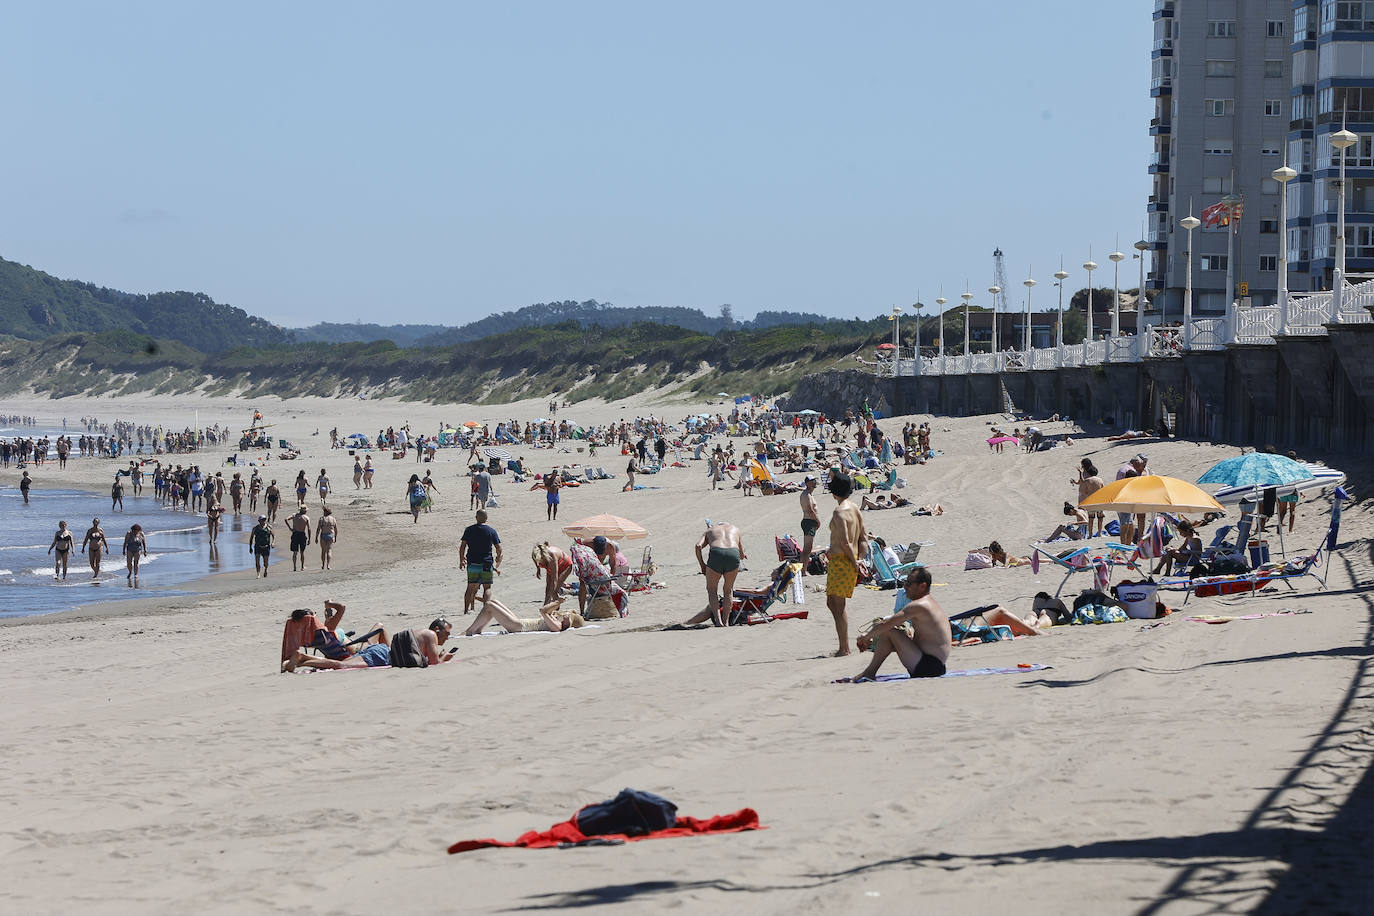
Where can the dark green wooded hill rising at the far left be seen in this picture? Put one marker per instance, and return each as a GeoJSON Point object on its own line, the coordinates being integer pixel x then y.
{"type": "Point", "coordinates": [36, 306]}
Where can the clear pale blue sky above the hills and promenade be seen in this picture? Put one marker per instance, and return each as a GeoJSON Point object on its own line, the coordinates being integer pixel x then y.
{"type": "Point", "coordinates": [435, 163]}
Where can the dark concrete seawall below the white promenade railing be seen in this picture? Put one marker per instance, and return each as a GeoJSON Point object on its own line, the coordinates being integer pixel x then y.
{"type": "Point", "coordinates": [1303, 392]}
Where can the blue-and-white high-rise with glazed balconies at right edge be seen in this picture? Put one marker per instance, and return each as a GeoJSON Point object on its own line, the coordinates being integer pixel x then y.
{"type": "Point", "coordinates": [1333, 82]}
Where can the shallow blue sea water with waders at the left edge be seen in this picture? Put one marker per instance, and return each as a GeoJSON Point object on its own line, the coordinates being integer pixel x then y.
{"type": "Point", "coordinates": [179, 547]}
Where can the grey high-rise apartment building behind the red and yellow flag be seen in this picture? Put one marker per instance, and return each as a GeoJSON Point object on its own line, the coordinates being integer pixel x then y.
{"type": "Point", "coordinates": [1221, 80]}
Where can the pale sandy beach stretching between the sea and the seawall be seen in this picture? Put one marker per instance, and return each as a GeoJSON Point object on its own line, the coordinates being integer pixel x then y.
{"type": "Point", "coordinates": [156, 762]}
